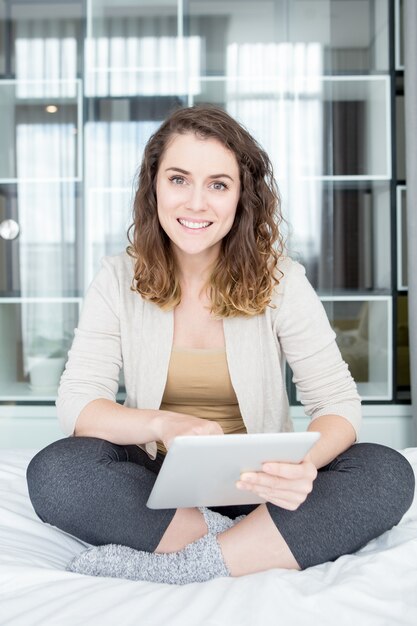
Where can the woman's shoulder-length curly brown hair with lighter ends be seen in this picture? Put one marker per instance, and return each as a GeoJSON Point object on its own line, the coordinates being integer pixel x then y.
{"type": "Point", "coordinates": [245, 274]}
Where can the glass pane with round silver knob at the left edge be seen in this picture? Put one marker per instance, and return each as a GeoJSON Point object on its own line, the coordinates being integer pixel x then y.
{"type": "Point", "coordinates": [42, 256]}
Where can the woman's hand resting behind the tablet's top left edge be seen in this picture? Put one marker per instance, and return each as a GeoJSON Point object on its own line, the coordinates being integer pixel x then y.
{"type": "Point", "coordinates": [170, 425]}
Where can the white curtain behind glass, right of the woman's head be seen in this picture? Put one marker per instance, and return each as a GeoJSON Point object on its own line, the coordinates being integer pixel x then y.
{"type": "Point", "coordinates": [276, 91]}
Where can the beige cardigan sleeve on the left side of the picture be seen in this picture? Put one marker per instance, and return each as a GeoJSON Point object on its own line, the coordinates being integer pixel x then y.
{"type": "Point", "coordinates": [95, 358]}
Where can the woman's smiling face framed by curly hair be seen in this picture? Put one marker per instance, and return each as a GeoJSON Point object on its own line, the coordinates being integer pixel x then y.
{"type": "Point", "coordinates": [197, 191]}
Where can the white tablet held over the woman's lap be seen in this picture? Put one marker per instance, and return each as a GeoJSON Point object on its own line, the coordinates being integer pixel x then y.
{"type": "Point", "coordinates": [203, 470]}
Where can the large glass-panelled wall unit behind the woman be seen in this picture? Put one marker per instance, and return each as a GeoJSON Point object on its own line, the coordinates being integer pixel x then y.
{"type": "Point", "coordinates": [83, 85]}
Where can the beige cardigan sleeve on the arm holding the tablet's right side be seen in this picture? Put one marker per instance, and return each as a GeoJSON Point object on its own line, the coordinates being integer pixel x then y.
{"type": "Point", "coordinates": [322, 378]}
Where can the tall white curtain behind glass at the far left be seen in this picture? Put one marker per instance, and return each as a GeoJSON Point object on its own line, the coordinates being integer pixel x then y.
{"type": "Point", "coordinates": [46, 166]}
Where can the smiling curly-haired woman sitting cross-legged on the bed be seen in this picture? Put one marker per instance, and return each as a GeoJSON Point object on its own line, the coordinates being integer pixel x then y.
{"type": "Point", "coordinates": [200, 313]}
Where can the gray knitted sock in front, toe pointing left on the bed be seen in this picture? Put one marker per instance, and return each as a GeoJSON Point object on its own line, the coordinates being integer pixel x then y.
{"type": "Point", "coordinates": [199, 561]}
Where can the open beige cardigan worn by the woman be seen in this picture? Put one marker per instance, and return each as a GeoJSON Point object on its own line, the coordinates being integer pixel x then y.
{"type": "Point", "coordinates": [118, 328]}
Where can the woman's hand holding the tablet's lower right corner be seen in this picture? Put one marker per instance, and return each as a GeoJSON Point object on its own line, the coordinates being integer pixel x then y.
{"type": "Point", "coordinates": [284, 484]}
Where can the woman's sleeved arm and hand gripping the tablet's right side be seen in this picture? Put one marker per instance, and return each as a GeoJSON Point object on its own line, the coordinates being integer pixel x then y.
{"type": "Point", "coordinates": [325, 386]}
